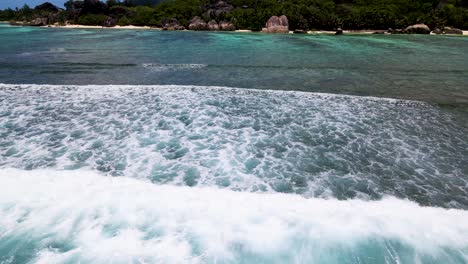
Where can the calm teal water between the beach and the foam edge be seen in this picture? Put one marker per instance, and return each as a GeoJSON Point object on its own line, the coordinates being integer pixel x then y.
{"type": "Point", "coordinates": [428, 68]}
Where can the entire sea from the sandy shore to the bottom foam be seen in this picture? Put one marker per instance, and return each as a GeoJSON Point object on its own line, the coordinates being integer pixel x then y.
{"type": "Point", "coordinates": [121, 146]}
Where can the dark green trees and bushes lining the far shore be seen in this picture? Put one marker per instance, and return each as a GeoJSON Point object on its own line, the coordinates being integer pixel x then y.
{"type": "Point", "coordinates": [252, 14]}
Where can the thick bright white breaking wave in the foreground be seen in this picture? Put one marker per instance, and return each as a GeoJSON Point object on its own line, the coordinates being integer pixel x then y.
{"type": "Point", "coordinates": [72, 216]}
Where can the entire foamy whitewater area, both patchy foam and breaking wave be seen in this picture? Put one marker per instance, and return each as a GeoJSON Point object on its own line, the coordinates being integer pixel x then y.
{"type": "Point", "coordinates": [201, 174]}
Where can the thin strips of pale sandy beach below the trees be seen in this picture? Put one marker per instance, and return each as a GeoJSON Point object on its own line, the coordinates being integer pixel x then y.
{"type": "Point", "coordinates": [310, 32]}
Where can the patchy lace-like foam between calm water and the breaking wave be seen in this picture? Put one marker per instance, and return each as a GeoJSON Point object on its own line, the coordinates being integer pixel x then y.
{"type": "Point", "coordinates": [316, 145]}
